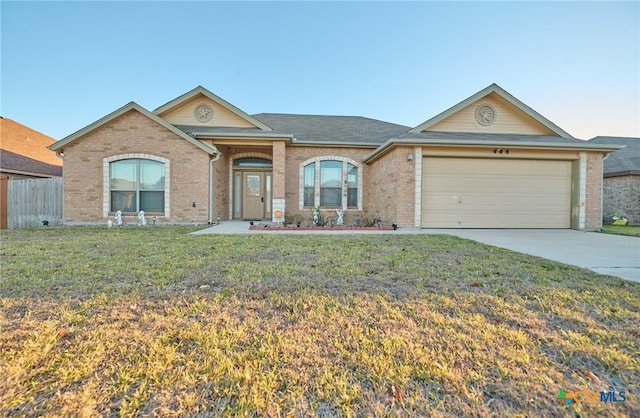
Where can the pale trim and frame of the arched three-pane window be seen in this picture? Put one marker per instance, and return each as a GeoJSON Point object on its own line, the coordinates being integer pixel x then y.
{"type": "Point", "coordinates": [345, 189]}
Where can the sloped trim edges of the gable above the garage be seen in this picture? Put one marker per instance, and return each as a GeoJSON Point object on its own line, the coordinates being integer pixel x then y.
{"type": "Point", "coordinates": [493, 88]}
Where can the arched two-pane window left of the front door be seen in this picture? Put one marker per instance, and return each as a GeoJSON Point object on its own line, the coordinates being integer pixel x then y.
{"type": "Point", "coordinates": [137, 184]}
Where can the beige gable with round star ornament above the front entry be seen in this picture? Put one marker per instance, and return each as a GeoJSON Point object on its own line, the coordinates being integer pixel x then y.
{"type": "Point", "coordinates": [183, 110]}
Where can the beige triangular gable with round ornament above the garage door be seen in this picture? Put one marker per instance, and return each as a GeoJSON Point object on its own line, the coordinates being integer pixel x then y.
{"type": "Point", "coordinates": [506, 115]}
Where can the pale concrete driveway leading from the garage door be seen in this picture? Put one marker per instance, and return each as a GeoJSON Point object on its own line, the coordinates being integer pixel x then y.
{"type": "Point", "coordinates": [614, 255]}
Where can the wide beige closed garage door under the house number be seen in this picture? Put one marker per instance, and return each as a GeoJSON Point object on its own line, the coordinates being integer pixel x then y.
{"type": "Point", "coordinates": [495, 193]}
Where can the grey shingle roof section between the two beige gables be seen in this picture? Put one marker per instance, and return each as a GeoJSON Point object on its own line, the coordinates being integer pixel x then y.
{"type": "Point", "coordinates": [345, 130]}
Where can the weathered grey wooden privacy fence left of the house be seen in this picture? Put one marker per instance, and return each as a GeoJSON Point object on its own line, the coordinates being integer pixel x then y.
{"type": "Point", "coordinates": [32, 201]}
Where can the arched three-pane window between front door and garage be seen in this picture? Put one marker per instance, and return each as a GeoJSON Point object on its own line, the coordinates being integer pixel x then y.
{"type": "Point", "coordinates": [329, 182]}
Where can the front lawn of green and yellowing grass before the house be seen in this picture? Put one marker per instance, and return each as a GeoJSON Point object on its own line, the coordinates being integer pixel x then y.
{"type": "Point", "coordinates": [153, 321]}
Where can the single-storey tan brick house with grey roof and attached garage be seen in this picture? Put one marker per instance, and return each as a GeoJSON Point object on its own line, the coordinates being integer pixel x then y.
{"type": "Point", "coordinates": [488, 162]}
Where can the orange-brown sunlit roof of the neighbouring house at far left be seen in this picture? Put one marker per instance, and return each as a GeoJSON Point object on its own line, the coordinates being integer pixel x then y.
{"type": "Point", "coordinates": [24, 150]}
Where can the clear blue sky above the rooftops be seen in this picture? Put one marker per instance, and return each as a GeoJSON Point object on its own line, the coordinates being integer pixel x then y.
{"type": "Point", "coordinates": [67, 64]}
